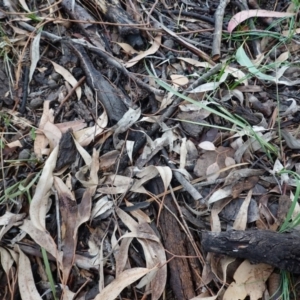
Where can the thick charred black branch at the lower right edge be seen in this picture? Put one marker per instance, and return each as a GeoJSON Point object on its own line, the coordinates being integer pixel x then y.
{"type": "Point", "coordinates": [280, 250]}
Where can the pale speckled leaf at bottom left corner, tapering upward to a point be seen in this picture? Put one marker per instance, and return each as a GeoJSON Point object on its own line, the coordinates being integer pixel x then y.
{"type": "Point", "coordinates": [27, 288]}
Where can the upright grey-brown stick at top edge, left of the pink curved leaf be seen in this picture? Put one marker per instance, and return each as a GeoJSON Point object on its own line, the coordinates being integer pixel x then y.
{"type": "Point", "coordinates": [219, 16]}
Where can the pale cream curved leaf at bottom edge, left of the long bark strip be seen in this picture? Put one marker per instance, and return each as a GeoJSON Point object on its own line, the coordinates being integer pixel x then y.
{"type": "Point", "coordinates": [126, 278]}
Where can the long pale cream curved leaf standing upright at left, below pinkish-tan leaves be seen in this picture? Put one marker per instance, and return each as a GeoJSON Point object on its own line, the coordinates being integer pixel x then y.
{"type": "Point", "coordinates": [38, 205]}
